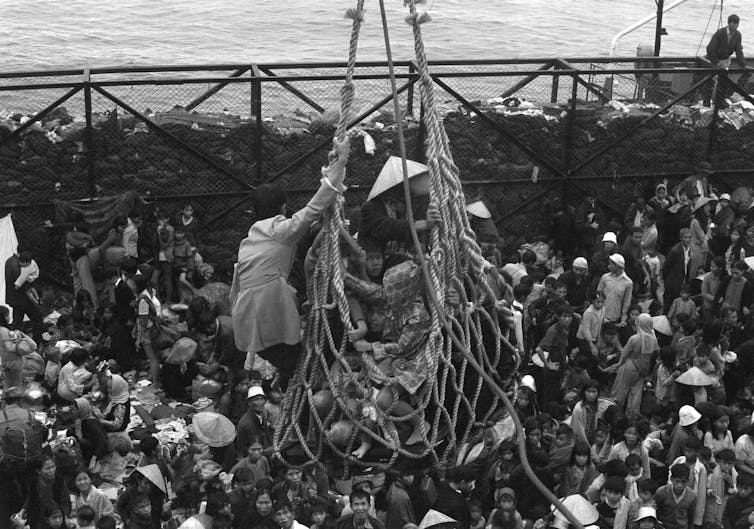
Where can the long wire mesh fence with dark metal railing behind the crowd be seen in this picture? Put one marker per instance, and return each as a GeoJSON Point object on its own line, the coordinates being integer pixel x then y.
{"type": "Point", "coordinates": [526, 135]}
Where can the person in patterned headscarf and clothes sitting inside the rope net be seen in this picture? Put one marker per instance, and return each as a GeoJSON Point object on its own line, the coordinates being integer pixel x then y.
{"type": "Point", "coordinates": [401, 352]}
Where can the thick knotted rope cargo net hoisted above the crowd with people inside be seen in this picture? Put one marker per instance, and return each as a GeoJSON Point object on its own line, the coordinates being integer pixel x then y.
{"type": "Point", "coordinates": [337, 418]}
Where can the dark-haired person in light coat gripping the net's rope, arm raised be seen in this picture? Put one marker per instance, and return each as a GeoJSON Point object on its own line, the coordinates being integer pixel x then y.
{"type": "Point", "coordinates": [264, 309]}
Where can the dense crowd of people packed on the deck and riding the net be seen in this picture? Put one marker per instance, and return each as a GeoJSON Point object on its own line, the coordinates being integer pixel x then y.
{"type": "Point", "coordinates": [631, 365]}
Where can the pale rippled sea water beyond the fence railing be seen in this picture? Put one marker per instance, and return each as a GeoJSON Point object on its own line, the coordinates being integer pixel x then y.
{"type": "Point", "coordinates": [43, 34]}
